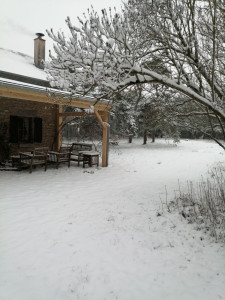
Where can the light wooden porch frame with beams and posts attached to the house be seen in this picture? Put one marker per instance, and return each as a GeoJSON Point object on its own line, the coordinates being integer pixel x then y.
{"type": "Point", "coordinates": [44, 95]}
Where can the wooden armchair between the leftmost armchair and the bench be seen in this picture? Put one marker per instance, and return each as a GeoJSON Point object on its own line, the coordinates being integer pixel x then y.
{"type": "Point", "coordinates": [62, 156]}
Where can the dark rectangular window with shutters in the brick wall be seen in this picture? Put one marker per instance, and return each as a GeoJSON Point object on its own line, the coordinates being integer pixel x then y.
{"type": "Point", "coordinates": [25, 130]}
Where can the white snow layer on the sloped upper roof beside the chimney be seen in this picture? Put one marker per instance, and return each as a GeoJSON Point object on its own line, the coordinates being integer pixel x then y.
{"type": "Point", "coordinates": [19, 63]}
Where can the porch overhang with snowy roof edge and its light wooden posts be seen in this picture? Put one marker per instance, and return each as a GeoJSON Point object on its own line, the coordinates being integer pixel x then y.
{"type": "Point", "coordinates": [39, 92]}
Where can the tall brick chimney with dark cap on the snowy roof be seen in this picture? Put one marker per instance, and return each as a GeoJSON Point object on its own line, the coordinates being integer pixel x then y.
{"type": "Point", "coordinates": [39, 50]}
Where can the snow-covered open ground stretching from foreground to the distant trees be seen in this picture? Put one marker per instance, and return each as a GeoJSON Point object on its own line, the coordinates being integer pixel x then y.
{"type": "Point", "coordinates": [94, 233]}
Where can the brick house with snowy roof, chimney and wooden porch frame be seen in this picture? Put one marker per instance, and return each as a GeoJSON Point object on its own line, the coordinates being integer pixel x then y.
{"type": "Point", "coordinates": [28, 115]}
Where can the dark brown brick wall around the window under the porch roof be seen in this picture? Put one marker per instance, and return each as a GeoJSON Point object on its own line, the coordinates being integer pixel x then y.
{"type": "Point", "coordinates": [21, 108]}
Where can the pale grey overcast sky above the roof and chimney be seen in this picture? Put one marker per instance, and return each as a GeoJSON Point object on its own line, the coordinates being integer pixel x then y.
{"type": "Point", "coordinates": [21, 19]}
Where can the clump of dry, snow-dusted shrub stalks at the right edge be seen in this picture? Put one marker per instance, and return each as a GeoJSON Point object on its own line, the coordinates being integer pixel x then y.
{"type": "Point", "coordinates": [204, 203]}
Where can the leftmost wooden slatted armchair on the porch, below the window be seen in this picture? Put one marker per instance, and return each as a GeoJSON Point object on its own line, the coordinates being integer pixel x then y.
{"type": "Point", "coordinates": [31, 160]}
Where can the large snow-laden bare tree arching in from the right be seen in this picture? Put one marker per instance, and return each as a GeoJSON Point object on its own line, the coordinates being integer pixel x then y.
{"type": "Point", "coordinates": [178, 44]}
